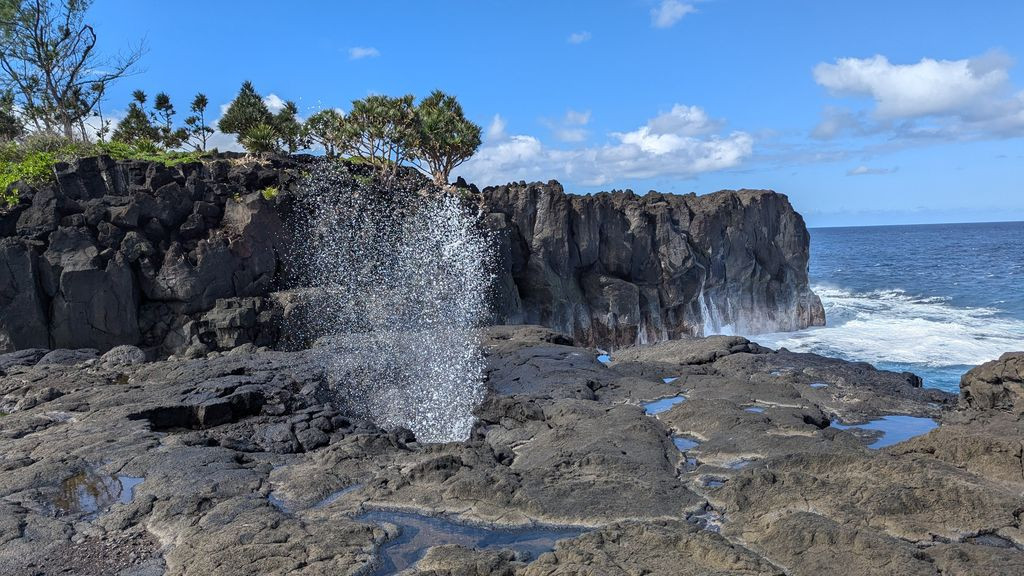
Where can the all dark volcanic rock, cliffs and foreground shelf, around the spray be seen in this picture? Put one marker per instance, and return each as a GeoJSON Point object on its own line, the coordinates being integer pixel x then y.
{"type": "Point", "coordinates": [157, 420]}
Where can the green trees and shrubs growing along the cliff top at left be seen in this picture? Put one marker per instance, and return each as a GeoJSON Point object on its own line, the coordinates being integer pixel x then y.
{"type": "Point", "coordinates": [54, 83]}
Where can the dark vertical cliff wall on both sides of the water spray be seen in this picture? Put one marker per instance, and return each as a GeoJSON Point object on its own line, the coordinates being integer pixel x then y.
{"type": "Point", "coordinates": [194, 259]}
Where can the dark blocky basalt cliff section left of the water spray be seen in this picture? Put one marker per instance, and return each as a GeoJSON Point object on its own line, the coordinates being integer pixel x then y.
{"type": "Point", "coordinates": [141, 254]}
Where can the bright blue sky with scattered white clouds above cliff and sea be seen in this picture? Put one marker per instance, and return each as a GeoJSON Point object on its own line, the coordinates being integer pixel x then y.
{"type": "Point", "coordinates": [864, 113]}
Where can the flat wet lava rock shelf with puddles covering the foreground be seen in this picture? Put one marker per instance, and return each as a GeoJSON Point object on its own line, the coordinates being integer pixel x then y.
{"type": "Point", "coordinates": [243, 464]}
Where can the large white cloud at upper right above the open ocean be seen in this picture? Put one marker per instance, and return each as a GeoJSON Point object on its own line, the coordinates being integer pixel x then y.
{"type": "Point", "coordinates": [964, 99]}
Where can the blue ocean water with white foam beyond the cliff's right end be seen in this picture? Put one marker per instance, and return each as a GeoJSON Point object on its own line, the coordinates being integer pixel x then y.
{"type": "Point", "coordinates": [935, 300]}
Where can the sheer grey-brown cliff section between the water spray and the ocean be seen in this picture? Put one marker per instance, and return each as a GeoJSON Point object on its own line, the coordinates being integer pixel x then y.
{"type": "Point", "coordinates": [618, 269]}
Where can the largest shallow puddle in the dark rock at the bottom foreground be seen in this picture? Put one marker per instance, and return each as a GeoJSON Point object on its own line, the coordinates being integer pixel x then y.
{"type": "Point", "coordinates": [419, 533]}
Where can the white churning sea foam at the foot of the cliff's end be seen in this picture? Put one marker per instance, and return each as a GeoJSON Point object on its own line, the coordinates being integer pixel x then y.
{"type": "Point", "coordinates": [890, 326]}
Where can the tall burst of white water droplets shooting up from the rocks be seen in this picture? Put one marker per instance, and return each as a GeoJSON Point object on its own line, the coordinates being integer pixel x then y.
{"type": "Point", "coordinates": [400, 284]}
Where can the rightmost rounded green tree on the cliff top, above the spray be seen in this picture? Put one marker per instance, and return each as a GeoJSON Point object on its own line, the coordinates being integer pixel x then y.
{"type": "Point", "coordinates": [446, 139]}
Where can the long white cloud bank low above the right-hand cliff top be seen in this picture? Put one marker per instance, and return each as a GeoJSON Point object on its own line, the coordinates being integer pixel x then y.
{"type": "Point", "coordinates": [639, 154]}
